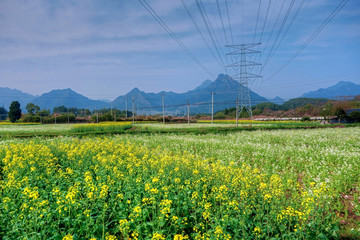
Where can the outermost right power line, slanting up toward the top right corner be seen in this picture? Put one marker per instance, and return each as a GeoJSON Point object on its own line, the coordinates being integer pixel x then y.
{"type": "Point", "coordinates": [309, 40]}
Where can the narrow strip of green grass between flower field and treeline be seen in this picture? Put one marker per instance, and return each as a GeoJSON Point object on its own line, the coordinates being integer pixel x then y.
{"type": "Point", "coordinates": [53, 130]}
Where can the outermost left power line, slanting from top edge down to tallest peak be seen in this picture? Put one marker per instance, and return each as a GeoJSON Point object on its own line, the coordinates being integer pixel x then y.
{"type": "Point", "coordinates": [172, 34]}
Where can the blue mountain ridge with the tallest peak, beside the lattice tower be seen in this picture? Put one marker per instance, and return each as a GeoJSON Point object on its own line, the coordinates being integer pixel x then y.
{"type": "Point", "coordinates": [224, 87]}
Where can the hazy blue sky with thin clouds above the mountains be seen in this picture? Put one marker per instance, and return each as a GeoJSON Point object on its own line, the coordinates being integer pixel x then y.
{"type": "Point", "coordinates": [103, 49]}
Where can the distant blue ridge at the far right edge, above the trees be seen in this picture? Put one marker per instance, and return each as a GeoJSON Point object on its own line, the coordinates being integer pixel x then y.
{"type": "Point", "coordinates": [342, 88]}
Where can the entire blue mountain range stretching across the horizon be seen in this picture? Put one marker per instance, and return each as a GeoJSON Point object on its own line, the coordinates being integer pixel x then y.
{"type": "Point", "coordinates": [224, 89]}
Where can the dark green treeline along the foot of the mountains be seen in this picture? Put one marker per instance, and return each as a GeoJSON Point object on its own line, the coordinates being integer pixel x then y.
{"type": "Point", "coordinates": [299, 107]}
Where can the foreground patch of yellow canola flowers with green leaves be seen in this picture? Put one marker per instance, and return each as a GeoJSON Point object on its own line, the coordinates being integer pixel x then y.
{"type": "Point", "coordinates": [132, 192]}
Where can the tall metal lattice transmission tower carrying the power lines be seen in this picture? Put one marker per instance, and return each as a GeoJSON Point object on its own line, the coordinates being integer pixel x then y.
{"type": "Point", "coordinates": [242, 67]}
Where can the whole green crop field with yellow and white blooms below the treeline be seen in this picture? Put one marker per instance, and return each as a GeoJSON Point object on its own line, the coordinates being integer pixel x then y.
{"type": "Point", "coordinates": [261, 184]}
